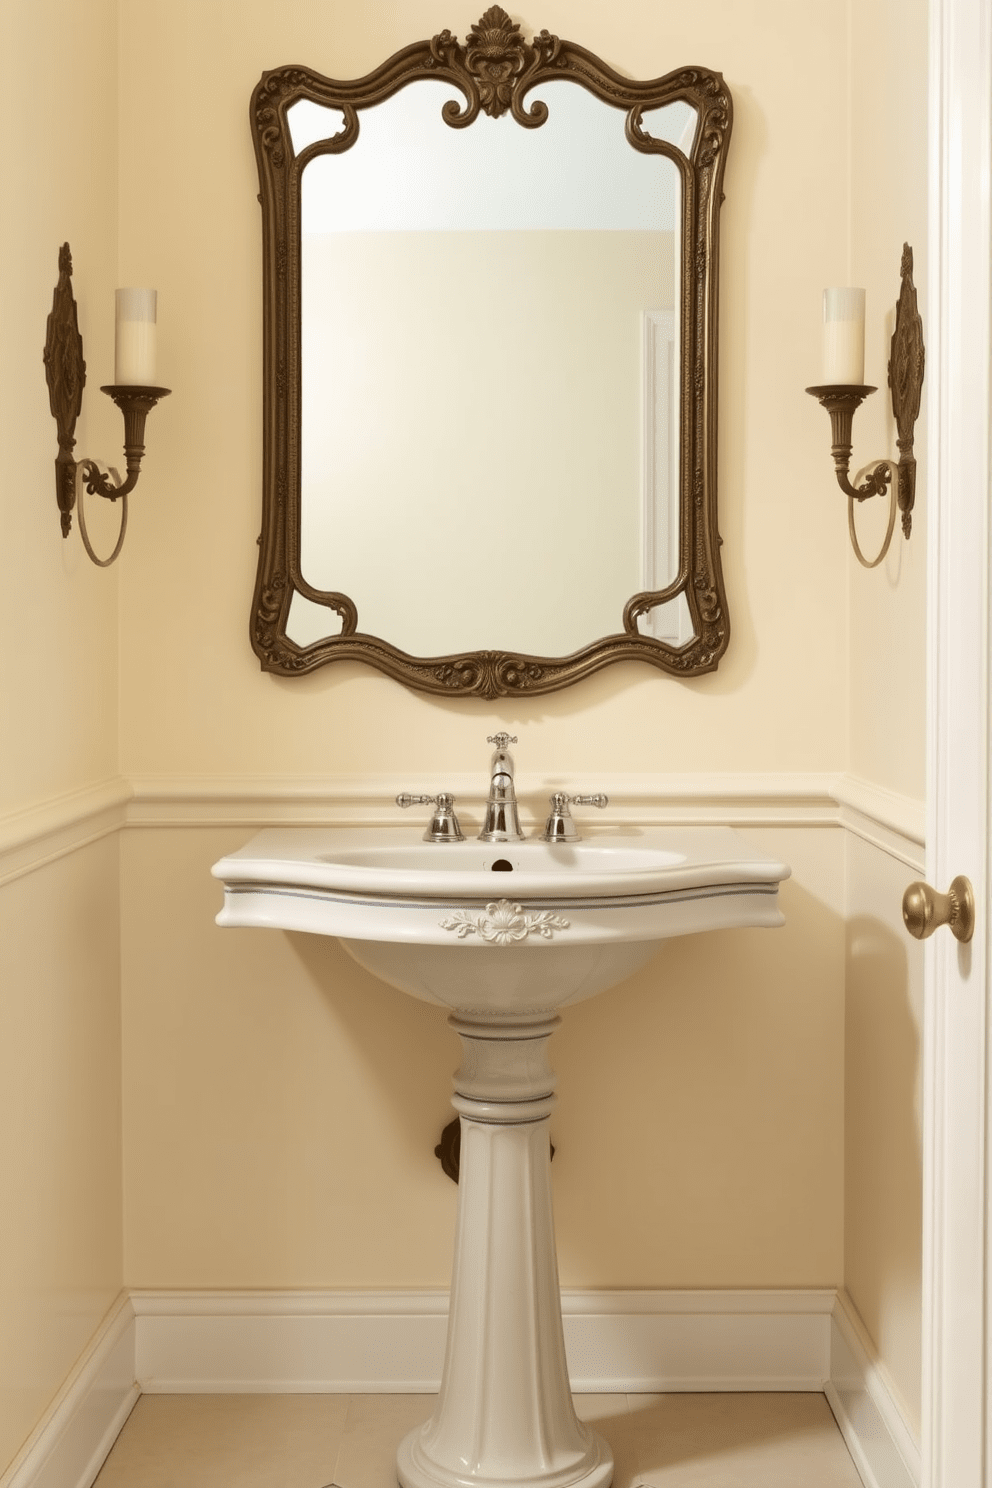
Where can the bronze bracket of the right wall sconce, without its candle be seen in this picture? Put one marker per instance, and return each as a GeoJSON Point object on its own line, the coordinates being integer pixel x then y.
{"type": "Point", "coordinates": [908, 359]}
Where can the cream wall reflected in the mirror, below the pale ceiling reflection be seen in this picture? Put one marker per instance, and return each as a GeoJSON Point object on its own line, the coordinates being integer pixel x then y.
{"type": "Point", "coordinates": [472, 432]}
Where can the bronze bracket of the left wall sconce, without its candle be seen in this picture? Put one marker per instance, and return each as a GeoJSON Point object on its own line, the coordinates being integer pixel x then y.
{"type": "Point", "coordinates": [66, 376]}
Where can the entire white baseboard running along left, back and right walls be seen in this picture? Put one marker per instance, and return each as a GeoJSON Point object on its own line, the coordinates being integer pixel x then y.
{"type": "Point", "coordinates": [185, 1343]}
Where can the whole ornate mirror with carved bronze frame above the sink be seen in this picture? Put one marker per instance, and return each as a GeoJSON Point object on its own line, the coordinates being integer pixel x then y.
{"type": "Point", "coordinates": [490, 367]}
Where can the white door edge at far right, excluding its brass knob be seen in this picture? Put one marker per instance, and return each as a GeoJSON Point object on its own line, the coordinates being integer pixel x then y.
{"type": "Point", "coordinates": [956, 1042]}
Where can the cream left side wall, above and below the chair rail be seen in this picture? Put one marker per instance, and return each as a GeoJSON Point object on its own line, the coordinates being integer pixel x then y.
{"type": "Point", "coordinates": [60, 1017]}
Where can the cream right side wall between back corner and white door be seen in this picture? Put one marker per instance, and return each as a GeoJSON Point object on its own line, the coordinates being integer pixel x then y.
{"type": "Point", "coordinates": [887, 687]}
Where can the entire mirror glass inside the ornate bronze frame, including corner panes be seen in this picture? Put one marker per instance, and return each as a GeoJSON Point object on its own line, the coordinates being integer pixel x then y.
{"type": "Point", "coordinates": [483, 318]}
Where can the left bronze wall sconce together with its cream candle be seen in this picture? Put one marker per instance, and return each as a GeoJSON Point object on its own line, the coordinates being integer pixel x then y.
{"type": "Point", "coordinates": [132, 391]}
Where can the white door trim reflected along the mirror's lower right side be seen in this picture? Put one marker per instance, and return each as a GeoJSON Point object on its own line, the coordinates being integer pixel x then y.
{"type": "Point", "coordinates": [660, 478]}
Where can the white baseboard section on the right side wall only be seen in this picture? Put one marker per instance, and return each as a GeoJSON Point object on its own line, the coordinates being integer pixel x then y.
{"type": "Point", "coordinates": [862, 1399]}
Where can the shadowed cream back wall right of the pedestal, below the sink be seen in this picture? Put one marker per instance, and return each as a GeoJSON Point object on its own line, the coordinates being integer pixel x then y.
{"type": "Point", "coordinates": [703, 1105]}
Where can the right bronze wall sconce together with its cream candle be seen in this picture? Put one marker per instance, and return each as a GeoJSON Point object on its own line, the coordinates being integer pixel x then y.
{"type": "Point", "coordinates": [846, 391]}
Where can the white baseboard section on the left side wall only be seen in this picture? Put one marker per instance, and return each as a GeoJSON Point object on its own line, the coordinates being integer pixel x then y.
{"type": "Point", "coordinates": [71, 1443]}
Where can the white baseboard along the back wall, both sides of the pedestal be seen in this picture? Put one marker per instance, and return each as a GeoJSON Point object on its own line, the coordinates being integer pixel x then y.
{"type": "Point", "coordinates": [390, 1341]}
